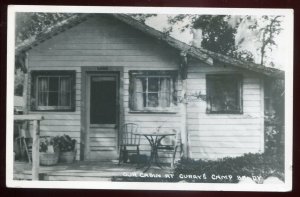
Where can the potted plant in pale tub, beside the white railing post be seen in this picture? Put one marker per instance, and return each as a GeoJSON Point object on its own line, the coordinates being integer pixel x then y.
{"type": "Point", "coordinates": [49, 151]}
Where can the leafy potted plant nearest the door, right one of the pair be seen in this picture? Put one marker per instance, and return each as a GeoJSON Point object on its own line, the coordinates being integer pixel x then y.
{"type": "Point", "coordinates": [67, 147]}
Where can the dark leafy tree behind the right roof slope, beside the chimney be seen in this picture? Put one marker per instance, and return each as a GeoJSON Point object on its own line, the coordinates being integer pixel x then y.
{"type": "Point", "coordinates": [218, 34]}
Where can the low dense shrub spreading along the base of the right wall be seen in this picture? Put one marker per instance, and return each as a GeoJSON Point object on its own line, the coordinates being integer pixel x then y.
{"type": "Point", "coordinates": [257, 165]}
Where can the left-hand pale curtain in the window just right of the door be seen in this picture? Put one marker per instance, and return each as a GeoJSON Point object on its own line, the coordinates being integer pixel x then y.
{"type": "Point", "coordinates": [137, 101]}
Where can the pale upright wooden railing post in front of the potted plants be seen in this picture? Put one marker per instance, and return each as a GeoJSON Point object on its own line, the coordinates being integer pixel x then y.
{"type": "Point", "coordinates": [35, 150]}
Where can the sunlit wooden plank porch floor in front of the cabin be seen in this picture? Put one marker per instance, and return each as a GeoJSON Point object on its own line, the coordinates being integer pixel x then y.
{"type": "Point", "coordinates": [91, 171]}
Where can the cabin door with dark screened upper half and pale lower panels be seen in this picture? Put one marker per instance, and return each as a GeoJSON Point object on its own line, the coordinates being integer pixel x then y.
{"type": "Point", "coordinates": [102, 116]}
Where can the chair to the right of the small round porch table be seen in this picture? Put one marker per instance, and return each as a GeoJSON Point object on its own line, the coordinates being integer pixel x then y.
{"type": "Point", "coordinates": [171, 143]}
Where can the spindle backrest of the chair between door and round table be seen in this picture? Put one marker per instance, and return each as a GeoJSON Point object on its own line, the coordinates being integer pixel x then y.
{"type": "Point", "coordinates": [127, 134]}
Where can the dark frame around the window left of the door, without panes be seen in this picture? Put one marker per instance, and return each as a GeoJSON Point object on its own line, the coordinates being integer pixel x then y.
{"type": "Point", "coordinates": [35, 75]}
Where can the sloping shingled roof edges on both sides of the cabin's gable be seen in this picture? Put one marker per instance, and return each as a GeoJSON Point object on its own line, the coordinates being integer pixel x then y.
{"type": "Point", "coordinates": [197, 53]}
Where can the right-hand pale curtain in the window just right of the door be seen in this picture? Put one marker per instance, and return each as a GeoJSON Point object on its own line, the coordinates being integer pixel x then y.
{"type": "Point", "coordinates": [164, 94]}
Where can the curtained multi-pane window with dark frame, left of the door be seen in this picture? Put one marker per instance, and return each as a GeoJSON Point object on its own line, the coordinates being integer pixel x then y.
{"type": "Point", "coordinates": [53, 90]}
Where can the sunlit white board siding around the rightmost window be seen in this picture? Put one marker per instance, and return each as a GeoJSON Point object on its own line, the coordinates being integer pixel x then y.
{"type": "Point", "coordinates": [217, 135]}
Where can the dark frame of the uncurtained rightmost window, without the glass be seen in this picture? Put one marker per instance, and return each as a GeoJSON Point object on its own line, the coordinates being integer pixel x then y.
{"type": "Point", "coordinates": [239, 79]}
